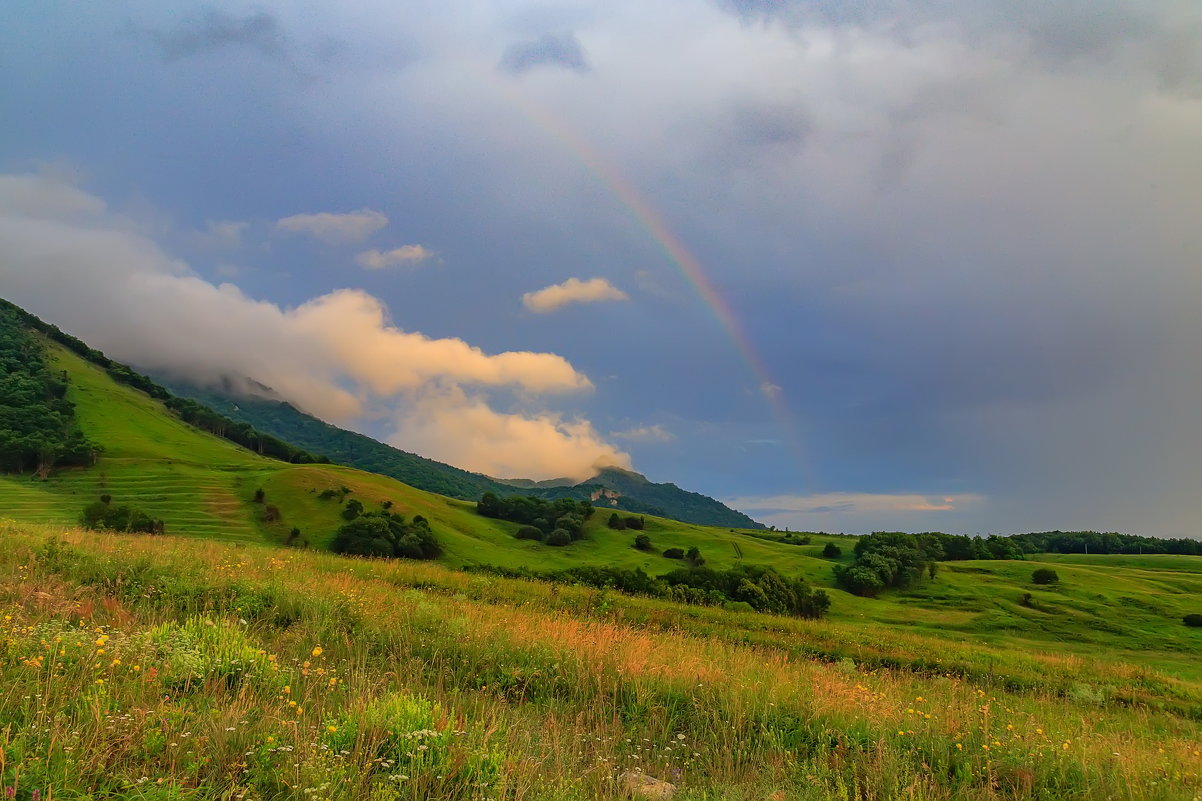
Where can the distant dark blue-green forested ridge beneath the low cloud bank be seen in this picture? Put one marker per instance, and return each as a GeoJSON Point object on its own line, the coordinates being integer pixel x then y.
{"type": "Point", "coordinates": [259, 406]}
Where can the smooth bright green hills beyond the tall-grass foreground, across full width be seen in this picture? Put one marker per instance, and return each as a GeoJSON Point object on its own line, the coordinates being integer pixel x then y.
{"type": "Point", "coordinates": [205, 486]}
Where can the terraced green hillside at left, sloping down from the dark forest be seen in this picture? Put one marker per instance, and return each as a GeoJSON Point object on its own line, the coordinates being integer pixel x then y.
{"type": "Point", "coordinates": [203, 485]}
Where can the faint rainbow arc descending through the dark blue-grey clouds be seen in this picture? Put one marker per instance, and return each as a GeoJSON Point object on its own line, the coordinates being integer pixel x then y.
{"type": "Point", "coordinates": [677, 253]}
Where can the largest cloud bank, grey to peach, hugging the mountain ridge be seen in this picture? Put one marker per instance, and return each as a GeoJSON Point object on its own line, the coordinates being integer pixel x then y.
{"type": "Point", "coordinates": [338, 355]}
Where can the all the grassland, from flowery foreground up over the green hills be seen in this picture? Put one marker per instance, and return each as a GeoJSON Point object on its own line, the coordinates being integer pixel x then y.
{"type": "Point", "coordinates": [213, 663]}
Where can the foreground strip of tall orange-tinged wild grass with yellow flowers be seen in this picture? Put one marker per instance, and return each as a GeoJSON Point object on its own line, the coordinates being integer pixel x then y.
{"type": "Point", "coordinates": [164, 669]}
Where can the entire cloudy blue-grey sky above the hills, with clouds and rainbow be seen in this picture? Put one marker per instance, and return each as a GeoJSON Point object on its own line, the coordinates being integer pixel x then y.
{"type": "Point", "coordinates": [848, 268]}
